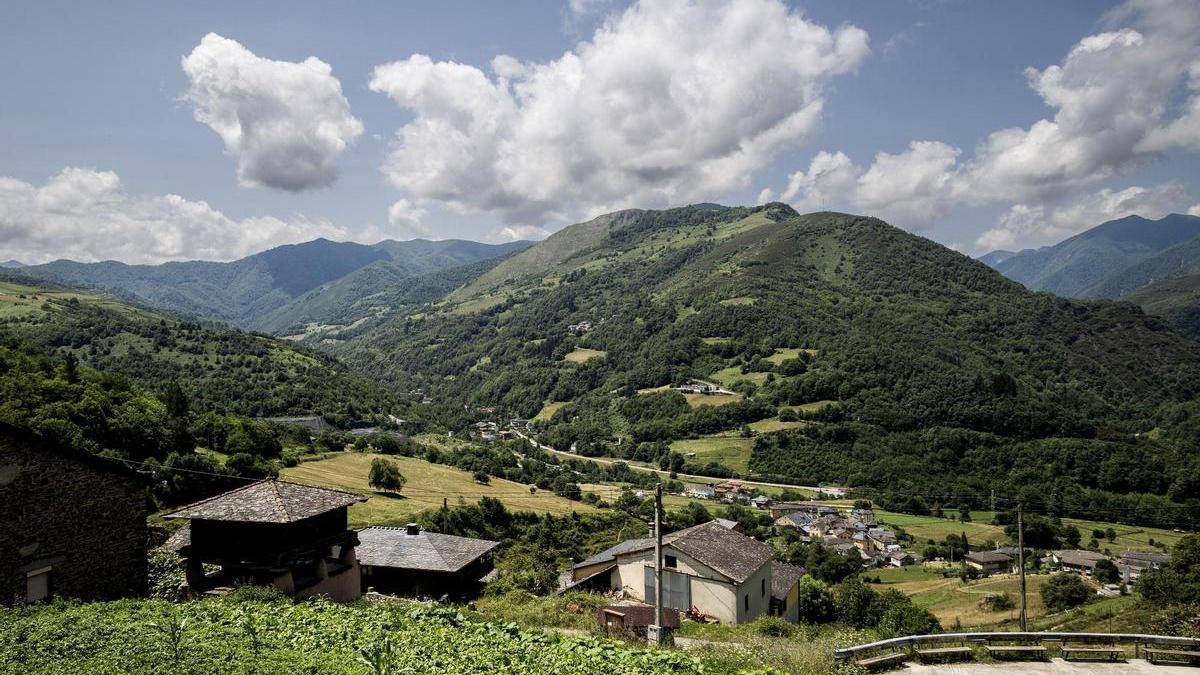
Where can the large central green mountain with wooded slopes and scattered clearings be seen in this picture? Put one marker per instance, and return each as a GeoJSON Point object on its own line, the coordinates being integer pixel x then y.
{"type": "Point", "coordinates": [920, 347]}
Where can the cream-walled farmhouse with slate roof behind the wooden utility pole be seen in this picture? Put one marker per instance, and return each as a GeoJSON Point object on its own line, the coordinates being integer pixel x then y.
{"type": "Point", "coordinates": [722, 574]}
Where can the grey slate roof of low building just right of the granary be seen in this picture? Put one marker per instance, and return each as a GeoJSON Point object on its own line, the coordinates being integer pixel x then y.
{"type": "Point", "coordinates": [394, 547]}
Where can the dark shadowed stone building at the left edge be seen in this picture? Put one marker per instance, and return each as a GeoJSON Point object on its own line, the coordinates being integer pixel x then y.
{"type": "Point", "coordinates": [75, 524]}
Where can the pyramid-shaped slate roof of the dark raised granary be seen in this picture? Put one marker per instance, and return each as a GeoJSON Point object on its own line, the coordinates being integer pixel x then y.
{"type": "Point", "coordinates": [269, 501]}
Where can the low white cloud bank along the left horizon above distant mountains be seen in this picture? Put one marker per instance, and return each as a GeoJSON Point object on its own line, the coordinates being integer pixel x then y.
{"type": "Point", "coordinates": [85, 214]}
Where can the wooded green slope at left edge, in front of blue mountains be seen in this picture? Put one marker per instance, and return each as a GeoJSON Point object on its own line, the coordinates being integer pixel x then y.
{"type": "Point", "coordinates": [221, 369]}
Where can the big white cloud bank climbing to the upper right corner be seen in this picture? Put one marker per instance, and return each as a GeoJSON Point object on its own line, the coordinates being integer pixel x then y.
{"type": "Point", "coordinates": [1112, 97]}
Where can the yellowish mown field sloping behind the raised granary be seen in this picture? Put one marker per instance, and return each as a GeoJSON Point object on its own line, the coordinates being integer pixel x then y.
{"type": "Point", "coordinates": [427, 487]}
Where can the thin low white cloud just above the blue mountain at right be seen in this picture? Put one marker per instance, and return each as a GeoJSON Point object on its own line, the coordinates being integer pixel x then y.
{"type": "Point", "coordinates": [1052, 223]}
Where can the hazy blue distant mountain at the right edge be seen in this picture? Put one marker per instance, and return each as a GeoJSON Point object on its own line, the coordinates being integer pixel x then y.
{"type": "Point", "coordinates": [1073, 266]}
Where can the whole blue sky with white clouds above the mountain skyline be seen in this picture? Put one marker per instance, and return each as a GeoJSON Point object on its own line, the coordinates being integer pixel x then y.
{"type": "Point", "coordinates": [149, 132]}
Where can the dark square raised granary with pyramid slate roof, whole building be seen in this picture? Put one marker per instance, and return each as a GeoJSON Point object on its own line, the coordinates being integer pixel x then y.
{"type": "Point", "coordinates": [273, 533]}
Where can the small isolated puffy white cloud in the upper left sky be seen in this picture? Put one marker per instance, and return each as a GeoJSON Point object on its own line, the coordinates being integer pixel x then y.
{"type": "Point", "coordinates": [286, 123]}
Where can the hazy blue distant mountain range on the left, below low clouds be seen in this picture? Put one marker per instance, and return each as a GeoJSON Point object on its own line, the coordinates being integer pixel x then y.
{"type": "Point", "coordinates": [254, 292]}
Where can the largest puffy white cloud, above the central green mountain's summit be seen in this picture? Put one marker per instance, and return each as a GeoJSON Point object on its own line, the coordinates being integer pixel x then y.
{"type": "Point", "coordinates": [670, 101]}
